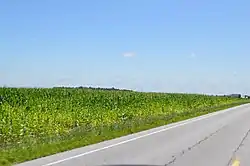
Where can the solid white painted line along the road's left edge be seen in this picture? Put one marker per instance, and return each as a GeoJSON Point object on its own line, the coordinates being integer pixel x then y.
{"type": "Point", "coordinates": [142, 136]}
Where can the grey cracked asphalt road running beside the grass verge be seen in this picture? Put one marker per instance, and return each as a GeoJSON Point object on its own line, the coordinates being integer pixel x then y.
{"type": "Point", "coordinates": [217, 139]}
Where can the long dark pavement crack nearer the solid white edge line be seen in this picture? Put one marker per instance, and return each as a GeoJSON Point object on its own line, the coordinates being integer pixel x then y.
{"type": "Point", "coordinates": [175, 157]}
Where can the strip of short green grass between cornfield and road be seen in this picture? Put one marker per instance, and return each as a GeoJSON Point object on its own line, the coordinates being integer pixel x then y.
{"type": "Point", "coordinates": [82, 136]}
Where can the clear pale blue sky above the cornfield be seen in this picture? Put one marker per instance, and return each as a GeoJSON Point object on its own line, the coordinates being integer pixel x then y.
{"type": "Point", "coordinates": [162, 46]}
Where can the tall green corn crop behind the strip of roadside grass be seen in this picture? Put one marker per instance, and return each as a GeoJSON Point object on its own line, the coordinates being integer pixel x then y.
{"type": "Point", "coordinates": [41, 112]}
